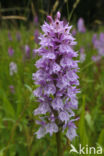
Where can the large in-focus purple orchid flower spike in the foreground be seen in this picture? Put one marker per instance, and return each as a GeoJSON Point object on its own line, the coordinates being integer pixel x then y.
{"type": "Point", "coordinates": [57, 79]}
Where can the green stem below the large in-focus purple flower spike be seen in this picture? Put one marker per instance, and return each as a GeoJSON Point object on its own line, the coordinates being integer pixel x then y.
{"type": "Point", "coordinates": [58, 141]}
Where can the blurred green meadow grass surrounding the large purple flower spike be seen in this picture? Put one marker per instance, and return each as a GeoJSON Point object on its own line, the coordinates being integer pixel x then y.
{"type": "Point", "coordinates": [17, 123]}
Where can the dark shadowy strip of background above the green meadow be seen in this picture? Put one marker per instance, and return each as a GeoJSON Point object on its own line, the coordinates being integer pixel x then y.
{"type": "Point", "coordinates": [91, 10]}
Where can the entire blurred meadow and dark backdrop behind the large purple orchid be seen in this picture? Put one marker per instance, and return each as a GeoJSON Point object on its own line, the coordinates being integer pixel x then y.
{"type": "Point", "coordinates": [20, 26]}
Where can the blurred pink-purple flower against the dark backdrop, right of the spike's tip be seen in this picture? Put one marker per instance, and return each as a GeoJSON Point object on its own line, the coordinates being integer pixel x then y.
{"type": "Point", "coordinates": [81, 25]}
